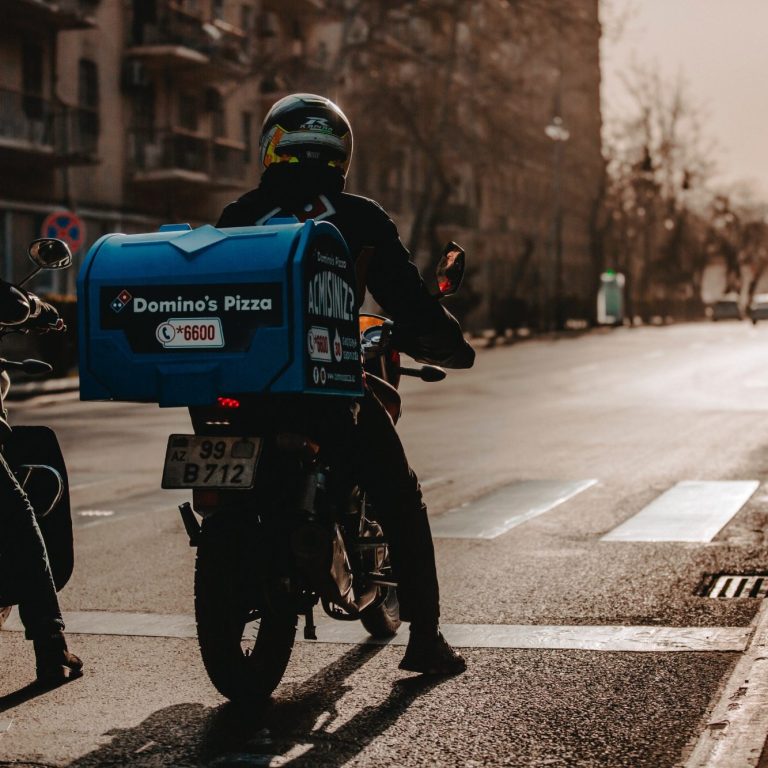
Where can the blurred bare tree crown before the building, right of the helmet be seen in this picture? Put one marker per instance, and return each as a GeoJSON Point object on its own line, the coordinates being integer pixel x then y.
{"type": "Point", "coordinates": [442, 91]}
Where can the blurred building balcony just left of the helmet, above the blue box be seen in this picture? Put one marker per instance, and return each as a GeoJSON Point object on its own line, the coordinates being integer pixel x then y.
{"type": "Point", "coordinates": [165, 159]}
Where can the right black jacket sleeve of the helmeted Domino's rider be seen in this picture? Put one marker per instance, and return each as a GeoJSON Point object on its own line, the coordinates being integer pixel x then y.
{"type": "Point", "coordinates": [424, 328]}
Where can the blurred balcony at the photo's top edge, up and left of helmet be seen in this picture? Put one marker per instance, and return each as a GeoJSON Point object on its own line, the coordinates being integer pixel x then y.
{"type": "Point", "coordinates": [182, 40]}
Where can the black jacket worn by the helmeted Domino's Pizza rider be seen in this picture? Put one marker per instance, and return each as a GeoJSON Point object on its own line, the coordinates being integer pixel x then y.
{"type": "Point", "coordinates": [425, 329]}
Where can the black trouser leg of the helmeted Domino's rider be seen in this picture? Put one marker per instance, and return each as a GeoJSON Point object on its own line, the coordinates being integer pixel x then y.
{"type": "Point", "coordinates": [373, 451]}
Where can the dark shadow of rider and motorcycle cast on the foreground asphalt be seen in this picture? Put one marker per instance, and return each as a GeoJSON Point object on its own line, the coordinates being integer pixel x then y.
{"type": "Point", "coordinates": [284, 731]}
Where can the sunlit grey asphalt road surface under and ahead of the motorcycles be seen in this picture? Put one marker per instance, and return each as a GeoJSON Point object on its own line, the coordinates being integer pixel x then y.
{"type": "Point", "coordinates": [638, 411]}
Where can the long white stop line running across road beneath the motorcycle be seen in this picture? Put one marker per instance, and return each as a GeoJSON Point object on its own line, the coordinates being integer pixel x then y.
{"type": "Point", "coordinates": [609, 637]}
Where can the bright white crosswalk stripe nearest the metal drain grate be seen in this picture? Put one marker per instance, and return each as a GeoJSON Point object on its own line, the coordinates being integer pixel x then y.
{"type": "Point", "coordinates": [690, 511]}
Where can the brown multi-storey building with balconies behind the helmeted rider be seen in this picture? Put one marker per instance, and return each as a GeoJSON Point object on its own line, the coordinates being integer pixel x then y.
{"type": "Point", "coordinates": [133, 113]}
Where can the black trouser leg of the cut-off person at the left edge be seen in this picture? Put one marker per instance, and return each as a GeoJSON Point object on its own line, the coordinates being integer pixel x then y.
{"type": "Point", "coordinates": [25, 573]}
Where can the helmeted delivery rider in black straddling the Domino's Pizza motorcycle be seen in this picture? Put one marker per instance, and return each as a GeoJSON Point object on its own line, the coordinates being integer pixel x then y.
{"type": "Point", "coordinates": [305, 149]}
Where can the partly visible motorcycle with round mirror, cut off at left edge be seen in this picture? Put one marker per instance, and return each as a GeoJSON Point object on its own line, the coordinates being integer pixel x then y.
{"type": "Point", "coordinates": [32, 452]}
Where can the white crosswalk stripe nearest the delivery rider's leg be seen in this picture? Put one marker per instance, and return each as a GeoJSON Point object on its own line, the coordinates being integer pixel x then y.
{"type": "Point", "coordinates": [494, 514]}
